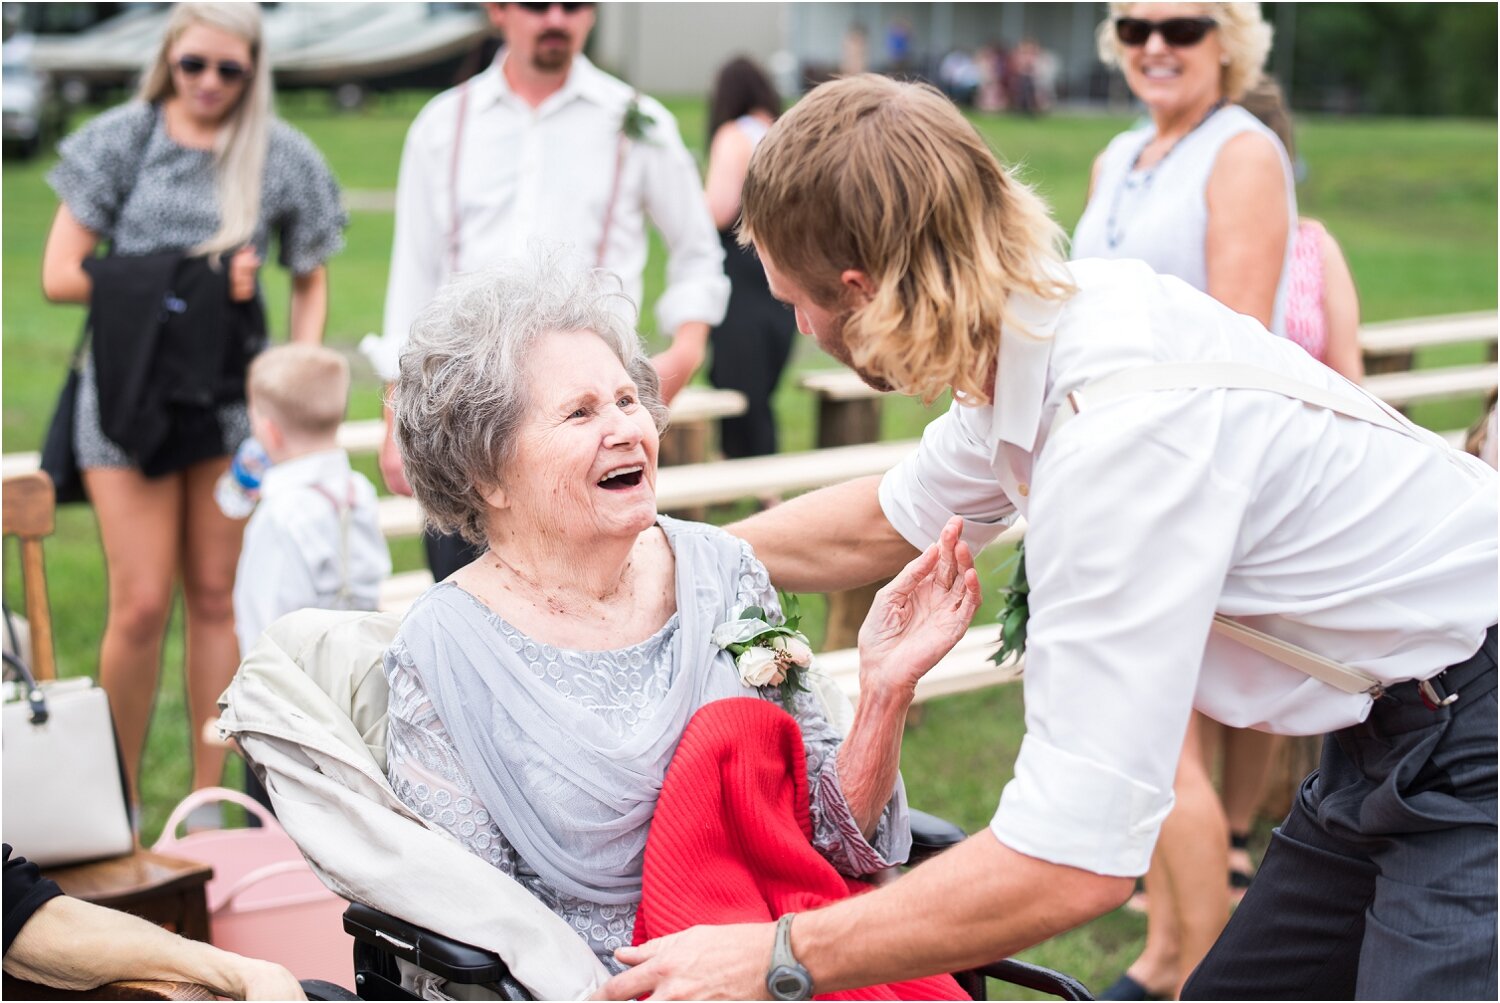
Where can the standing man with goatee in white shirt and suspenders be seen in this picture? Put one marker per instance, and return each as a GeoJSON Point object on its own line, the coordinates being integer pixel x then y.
{"type": "Point", "coordinates": [547, 146]}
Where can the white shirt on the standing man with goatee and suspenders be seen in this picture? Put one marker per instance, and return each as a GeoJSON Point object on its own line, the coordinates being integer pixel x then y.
{"type": "Point", "coordinates": [547, 173]}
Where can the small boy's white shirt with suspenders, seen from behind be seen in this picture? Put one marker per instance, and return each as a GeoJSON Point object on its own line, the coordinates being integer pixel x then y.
{"type": "Point", "coordinates": [292, 554]}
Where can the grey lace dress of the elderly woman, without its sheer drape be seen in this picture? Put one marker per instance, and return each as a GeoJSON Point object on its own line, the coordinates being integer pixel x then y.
{"type": "Point", "coordinates": [620, 687]}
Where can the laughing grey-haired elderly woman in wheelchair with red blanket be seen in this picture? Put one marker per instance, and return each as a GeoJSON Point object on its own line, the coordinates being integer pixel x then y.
{"type": "Point", "coordinates": [550, 756]}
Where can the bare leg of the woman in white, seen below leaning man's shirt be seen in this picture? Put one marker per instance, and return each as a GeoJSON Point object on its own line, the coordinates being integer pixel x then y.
{"type": "Point", "coordinates": [1187, 890]}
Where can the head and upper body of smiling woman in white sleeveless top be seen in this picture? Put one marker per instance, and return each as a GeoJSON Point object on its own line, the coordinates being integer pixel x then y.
{"type": "Point", "coordinates": [1202, 190]}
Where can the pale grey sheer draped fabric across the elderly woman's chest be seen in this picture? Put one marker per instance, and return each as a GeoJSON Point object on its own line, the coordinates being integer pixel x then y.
{"type": "Point", "coordinates": [572, 795]}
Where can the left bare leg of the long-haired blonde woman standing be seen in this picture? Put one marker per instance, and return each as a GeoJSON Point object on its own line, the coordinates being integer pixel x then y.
{"type": "Point", "coordinates": [140, 527]}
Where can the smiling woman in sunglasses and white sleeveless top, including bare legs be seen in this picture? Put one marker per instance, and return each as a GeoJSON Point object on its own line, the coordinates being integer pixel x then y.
{"type": "Point", "coordinates": [1201, 191]}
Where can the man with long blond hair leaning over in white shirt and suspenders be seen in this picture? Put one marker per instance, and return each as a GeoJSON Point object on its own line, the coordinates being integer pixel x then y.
{"type": "Point", "coordinates": [1180, 467]}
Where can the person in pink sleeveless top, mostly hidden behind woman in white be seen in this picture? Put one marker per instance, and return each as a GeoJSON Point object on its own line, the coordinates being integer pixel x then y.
{"type": "Point", "coordinates": [1322, 302]}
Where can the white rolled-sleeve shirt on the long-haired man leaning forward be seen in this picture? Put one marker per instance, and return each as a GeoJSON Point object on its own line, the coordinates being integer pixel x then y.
{"type": "Point", "coordinates": [1151, 513]}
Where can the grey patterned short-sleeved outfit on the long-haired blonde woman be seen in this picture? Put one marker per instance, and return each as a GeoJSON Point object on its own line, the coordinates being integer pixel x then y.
{"type": "Point", "coordinates": [127, 181]}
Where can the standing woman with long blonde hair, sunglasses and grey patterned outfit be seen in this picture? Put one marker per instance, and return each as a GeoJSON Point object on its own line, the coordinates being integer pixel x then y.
{"type": "Point", "coordinates": [196, 166]}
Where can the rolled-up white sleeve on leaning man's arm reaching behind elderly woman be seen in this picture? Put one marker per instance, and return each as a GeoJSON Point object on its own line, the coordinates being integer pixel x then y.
{"type": "Point", "coordinates": [950, 475]}
